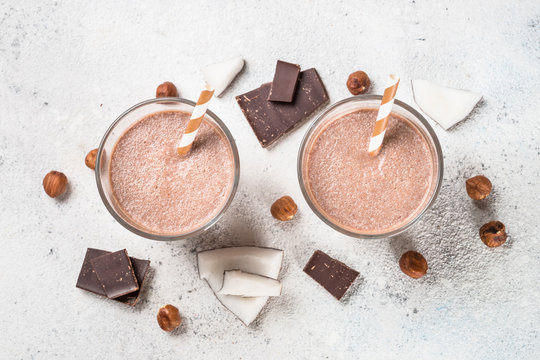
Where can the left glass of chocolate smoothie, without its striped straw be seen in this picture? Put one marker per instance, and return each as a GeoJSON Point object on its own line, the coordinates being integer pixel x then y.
{"type": "Point", "coordinates": [149, 188]}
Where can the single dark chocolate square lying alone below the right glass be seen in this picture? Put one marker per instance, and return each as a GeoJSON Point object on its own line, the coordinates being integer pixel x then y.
{"type": "Point", "coordinates": [333, 275]}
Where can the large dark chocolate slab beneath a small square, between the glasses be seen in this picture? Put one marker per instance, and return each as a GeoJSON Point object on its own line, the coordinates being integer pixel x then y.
{"type": "Point", "coordinates": [270, 120]}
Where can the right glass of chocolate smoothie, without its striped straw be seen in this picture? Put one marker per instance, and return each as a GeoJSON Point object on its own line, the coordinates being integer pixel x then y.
{"type": "Point", "coordinates": [364, 196]}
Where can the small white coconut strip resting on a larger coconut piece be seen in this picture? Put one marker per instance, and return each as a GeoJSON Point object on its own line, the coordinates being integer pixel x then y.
{"type": "Point", "coordinates": [241, 283]}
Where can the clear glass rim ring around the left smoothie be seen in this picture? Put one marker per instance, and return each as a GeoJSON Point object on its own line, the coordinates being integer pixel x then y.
{"type": "Point", "coordinates": [162, 237]}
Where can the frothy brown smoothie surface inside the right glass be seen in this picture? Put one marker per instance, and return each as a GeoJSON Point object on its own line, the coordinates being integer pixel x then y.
{"type": "Point", "coordinates": [364, 193]}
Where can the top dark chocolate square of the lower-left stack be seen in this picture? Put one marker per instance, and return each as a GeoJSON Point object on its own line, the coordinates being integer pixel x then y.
{"type": "Point", "coordinates": [115, 273]}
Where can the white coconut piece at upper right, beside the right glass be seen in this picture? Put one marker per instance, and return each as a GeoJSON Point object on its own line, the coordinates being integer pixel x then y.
{"type": "Point", "coordinates": [446, 106]}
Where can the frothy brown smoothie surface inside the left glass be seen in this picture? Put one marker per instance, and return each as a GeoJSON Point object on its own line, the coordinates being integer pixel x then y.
{"type": "Point", "coordinates": [160, 190]}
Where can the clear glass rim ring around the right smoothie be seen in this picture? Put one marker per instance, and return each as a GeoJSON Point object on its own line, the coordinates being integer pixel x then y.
{"type": "Point", "coordinates": [428, 132]}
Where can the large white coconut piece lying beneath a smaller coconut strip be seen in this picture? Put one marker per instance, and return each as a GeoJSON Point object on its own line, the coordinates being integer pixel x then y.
{"type": "Point", "coordinates": [263, 261]}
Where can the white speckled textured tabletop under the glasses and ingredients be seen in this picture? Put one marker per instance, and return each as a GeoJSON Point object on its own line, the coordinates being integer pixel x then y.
{"type": "Point", "coordinates": [60, 60]}
